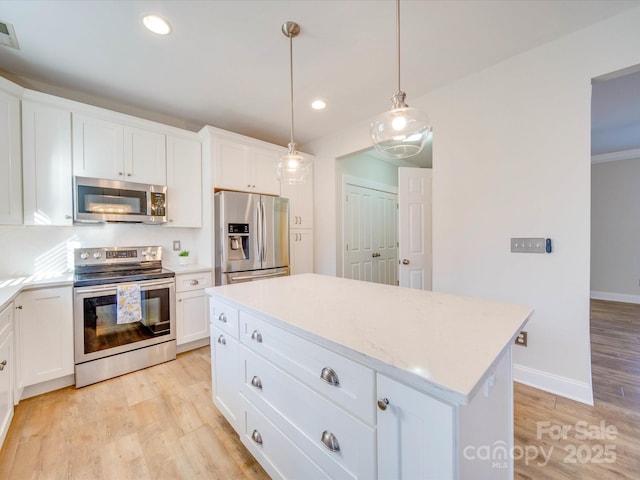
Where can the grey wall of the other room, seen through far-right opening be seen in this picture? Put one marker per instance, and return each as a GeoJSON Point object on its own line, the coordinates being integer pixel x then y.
{"type": "Point", "coordinates": [615, 230]}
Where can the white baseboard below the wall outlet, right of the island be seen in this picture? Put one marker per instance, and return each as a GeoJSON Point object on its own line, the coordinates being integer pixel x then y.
{"type": "Point", "coordinates": [565, 387]}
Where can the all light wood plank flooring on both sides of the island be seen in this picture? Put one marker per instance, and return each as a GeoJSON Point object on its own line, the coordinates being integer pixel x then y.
{"type": "Point", "coordinates": [160, 423]}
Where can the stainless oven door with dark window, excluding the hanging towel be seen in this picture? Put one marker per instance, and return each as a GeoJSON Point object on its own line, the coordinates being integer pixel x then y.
{"type": "Point", "coordinates": [97, 331]}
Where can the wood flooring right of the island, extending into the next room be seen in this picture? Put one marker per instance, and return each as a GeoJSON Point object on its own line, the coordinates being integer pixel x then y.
{"type": "Point", "coordinates": [615, 351]}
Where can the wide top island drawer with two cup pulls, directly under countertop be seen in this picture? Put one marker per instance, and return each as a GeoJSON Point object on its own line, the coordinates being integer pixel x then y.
{"type": "Point", "coordinates": [347, 383]}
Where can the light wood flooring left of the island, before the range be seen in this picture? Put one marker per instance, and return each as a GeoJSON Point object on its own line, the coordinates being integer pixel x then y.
{"type": "Point", "coordinates": [157, 423]}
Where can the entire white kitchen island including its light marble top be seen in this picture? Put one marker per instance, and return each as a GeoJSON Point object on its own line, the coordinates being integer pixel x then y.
{"type": "Point", "coordinates": [326, 377]}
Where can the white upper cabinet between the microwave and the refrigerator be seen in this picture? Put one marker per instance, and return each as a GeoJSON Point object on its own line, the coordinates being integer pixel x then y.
{"type": "Point", "coordinates": [184, 181]}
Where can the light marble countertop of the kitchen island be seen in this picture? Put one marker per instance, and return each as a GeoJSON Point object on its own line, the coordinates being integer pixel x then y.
{"type": "Point", "coordinates": [440, 343]}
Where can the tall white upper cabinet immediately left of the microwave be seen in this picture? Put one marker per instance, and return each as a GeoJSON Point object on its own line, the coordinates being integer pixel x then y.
{"type": "Point", "coordinates": [47, 164]}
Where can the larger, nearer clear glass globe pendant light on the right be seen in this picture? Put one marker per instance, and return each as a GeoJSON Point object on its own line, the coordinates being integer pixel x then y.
{"type": "Point", "coordinates": [402, 131]}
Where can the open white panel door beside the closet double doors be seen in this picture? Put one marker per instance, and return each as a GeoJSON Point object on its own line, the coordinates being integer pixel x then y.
{"type": "Point", "coordinates": [414, 200]}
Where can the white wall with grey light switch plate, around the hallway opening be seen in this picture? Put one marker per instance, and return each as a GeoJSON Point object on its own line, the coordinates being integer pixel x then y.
{"type": "Point", "coordinates": [511, 157]}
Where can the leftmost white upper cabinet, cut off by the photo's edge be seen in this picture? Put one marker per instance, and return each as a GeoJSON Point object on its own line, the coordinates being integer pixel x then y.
{"type": "Point", "coordinates": [10, 157]}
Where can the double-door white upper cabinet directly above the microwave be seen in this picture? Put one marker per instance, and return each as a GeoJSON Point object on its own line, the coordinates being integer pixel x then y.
{"type": "Point", "coordinates": [111, 150]}
